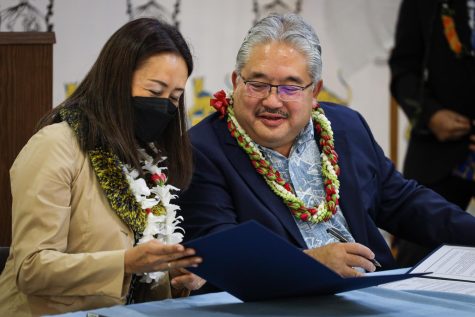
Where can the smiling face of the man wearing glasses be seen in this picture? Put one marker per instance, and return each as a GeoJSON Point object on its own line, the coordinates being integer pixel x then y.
{"type": "Point", "coordinates": [270, 121]}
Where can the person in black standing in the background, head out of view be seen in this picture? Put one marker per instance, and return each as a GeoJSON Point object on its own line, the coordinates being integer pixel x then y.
{"type": "Point", "coordinates": [433, 75]}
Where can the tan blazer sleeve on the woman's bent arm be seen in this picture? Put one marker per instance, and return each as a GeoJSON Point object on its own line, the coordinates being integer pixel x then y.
{"type": "Point", "coordinates": [41, 182]}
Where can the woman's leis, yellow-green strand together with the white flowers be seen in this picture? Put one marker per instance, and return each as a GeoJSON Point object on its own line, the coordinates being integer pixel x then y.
{"type": "Point", "coordinates": [142, 203]}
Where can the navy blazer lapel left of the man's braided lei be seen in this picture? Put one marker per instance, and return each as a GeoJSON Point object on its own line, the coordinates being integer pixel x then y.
{"type": "Point", "coordinates": [242, 163]}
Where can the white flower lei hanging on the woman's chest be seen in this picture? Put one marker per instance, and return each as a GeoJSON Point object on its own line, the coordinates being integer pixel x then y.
{"type": "Point", "coordinates": [163, 228]}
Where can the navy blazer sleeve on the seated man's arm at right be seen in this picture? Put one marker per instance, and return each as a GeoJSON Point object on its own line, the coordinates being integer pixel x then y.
{"type": "Point", "coordinates": [412, 211]}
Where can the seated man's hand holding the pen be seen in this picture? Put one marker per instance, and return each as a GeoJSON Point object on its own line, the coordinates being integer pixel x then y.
{"type": "Point", "coordinates": [344, 257]}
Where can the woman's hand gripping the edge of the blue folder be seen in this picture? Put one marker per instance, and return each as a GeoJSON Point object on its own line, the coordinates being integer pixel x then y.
{"type": "Point", "coordinates": [153, 256]}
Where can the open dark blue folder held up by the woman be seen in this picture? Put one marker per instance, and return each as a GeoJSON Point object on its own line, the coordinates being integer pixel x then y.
{"type": "Point", "coordinates": [252, 263]}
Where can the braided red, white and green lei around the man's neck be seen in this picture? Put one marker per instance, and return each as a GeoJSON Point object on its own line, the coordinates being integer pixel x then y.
{"type": "Point", "coordinates": [330, 169]}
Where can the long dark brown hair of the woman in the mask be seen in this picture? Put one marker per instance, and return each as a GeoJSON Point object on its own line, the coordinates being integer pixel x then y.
{"type": "Point", "coordinates": [104, 97]}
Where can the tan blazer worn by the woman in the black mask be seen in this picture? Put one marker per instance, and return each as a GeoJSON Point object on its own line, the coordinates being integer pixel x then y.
{"type": "Point", "coordinates": [68, 245]}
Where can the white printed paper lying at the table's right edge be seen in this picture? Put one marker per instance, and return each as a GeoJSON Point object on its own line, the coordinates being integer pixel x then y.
{"type": "Point", "coordinates": [450, 269]}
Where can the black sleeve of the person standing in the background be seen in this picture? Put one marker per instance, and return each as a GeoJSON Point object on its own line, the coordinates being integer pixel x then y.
{"type": "Point", "coordinates": [408, 62]}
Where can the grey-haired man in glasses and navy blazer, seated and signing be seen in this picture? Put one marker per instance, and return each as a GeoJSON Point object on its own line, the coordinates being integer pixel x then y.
{"type": "Point", "coordinates": [270, 156]}
